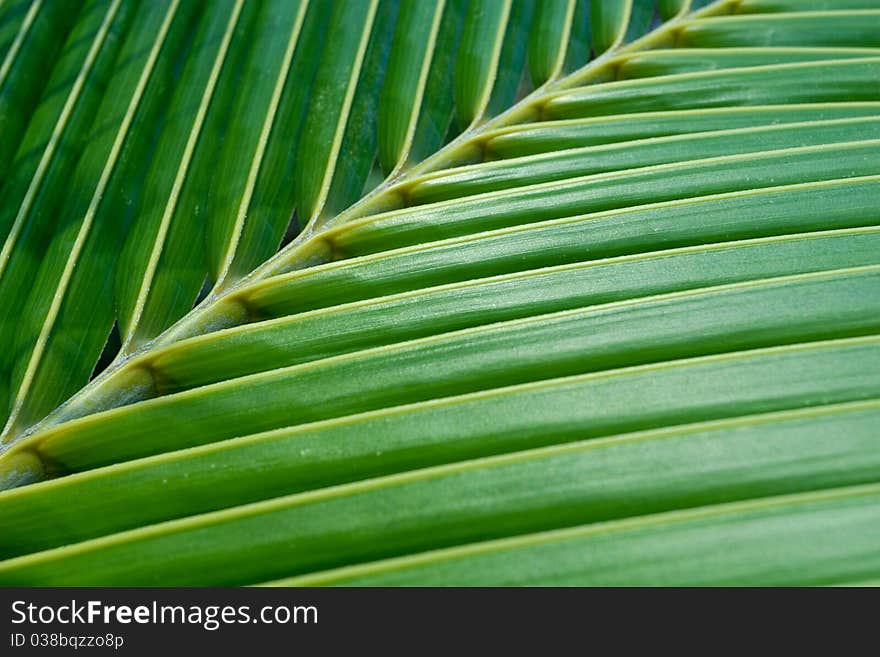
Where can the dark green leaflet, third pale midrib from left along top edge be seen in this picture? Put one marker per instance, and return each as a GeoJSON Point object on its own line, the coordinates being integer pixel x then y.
{"type": "Point", "coordinates": [60, 338]}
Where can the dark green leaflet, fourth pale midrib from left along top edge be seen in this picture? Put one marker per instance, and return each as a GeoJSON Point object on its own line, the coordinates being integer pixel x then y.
{"type": "Point", "coordinates": [164, 251]}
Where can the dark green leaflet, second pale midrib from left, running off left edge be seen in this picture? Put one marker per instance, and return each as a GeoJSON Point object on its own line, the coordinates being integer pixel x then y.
{"type": "Point", "coordinates": [46, 160]}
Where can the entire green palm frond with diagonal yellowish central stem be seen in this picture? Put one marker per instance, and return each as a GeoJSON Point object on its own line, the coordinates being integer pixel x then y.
{"type": "Point", "coordinates": [536, 319]}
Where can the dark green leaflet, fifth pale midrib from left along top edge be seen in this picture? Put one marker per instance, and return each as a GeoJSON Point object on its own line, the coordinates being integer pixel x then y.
{"type": "Point", "coordinates": [246, 198]}
